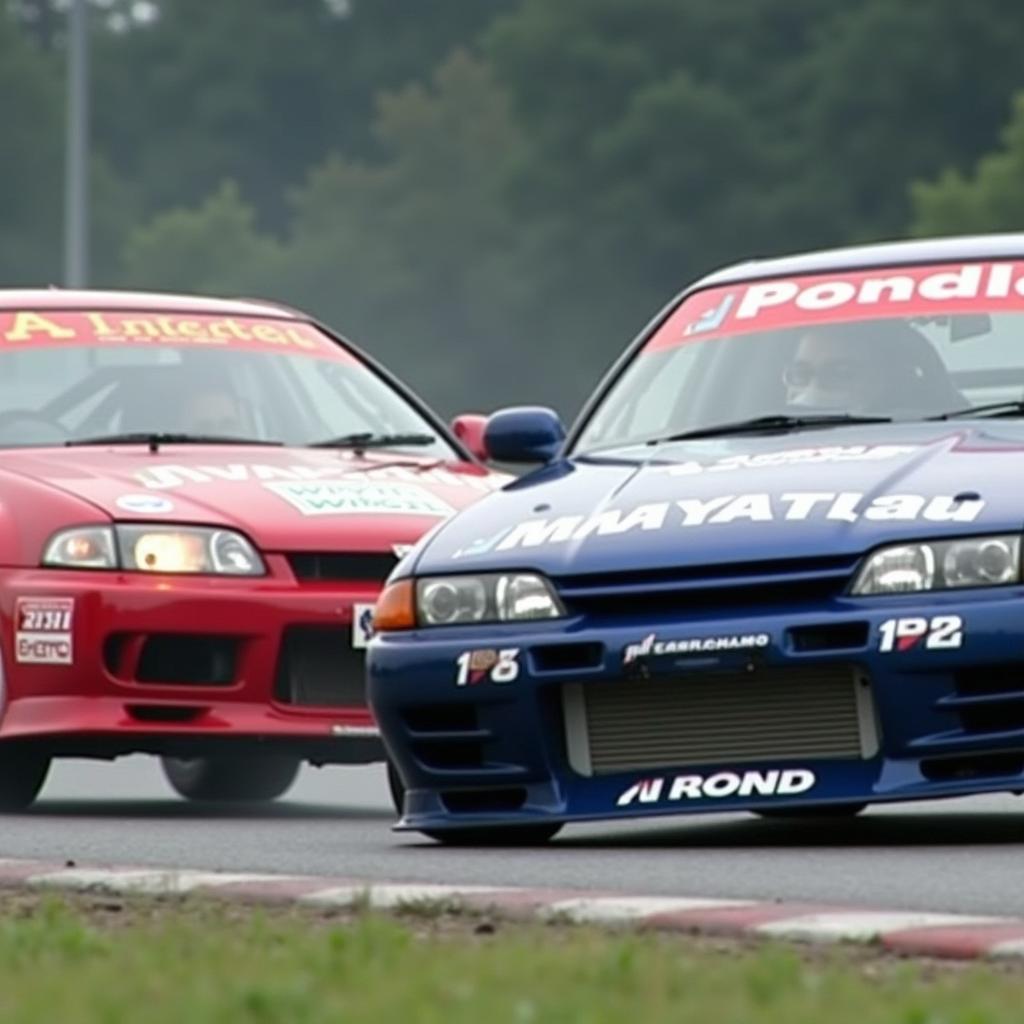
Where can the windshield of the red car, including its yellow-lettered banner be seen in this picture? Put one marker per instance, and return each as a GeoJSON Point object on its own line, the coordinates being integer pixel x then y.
{"type": "Point", "coordinates": [72, 376]}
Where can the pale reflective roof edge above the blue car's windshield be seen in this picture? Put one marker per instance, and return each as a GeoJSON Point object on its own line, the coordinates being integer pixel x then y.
{"type": "Point", "coordinates": [953, 249]}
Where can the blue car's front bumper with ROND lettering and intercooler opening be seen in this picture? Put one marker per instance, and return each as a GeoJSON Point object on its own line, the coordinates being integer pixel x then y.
{"type": "Point", "coordinates": [931, 718]}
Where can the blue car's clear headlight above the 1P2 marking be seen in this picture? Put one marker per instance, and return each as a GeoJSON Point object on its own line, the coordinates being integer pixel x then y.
{"type": "Point", "coordinates": [908, 569]}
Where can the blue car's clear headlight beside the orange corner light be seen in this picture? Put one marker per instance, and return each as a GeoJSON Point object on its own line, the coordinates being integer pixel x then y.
{"type": "Point", "coordinates": [496, 598]}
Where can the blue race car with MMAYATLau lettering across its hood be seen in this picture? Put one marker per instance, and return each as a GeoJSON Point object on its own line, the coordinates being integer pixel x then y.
{"type": "Point", "coordinates": [775, 567]}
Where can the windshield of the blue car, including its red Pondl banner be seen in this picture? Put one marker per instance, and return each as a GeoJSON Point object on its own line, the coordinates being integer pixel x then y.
{"type": "Point", "coordinates": [904, 344]}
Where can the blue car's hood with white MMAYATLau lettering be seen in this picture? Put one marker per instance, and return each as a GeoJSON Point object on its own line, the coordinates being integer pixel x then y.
{"type": "Point", "coordinates": [839, 492]}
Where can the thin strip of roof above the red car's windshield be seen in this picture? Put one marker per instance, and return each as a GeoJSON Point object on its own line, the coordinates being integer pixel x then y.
{"type": "Point", "coordinates": [89, 298]}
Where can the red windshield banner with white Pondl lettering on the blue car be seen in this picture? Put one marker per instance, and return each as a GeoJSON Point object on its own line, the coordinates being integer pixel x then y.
{"type": "Point", "coordinates": [802, 302]}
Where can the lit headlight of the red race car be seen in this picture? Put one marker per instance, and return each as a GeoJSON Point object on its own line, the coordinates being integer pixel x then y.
{"type": "Point", "coordinates": [155, 549]}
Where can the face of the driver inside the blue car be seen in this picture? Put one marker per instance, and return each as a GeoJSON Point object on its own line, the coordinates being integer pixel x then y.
{"type": "Point", "coordinates": [829, 372]}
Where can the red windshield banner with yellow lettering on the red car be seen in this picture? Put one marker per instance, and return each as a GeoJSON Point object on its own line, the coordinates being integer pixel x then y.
{"type": "Point", "coordinates": [54, 328]}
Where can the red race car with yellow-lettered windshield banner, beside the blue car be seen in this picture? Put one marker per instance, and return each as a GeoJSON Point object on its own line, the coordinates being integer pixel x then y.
{"type": "Point", "coordinates": [199, 503]}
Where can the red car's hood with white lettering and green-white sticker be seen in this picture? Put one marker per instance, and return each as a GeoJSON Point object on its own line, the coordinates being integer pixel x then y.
{"type": "Point", "coordinates": [284, 499]}
